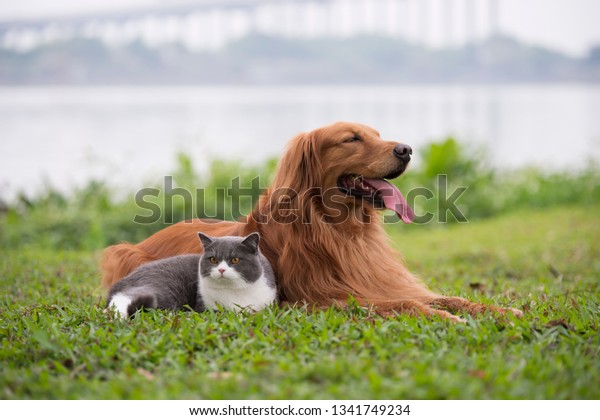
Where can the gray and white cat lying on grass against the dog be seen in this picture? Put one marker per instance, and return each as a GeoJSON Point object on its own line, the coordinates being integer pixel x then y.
{"type": "Point", "coordinates": [232, 272]}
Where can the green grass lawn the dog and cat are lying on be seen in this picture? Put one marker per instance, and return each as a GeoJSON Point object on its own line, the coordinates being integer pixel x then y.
{"type": "Point", "coordinates": [58, 343]}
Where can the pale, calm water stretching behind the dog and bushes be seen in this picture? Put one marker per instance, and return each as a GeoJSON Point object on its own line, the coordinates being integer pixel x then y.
{"type": "Point", "coordinates": [130, 135]}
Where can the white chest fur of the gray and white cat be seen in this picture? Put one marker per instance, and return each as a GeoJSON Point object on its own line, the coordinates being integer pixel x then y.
{"type": "Point", "coordinates": [236, 293]}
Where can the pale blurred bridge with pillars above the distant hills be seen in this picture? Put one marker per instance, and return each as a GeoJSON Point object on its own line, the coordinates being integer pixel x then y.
{"type": "Point", "coordinates": [211, 24]}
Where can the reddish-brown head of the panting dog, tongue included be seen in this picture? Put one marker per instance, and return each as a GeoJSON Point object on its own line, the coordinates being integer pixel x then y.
{"type": "Point", "coordinates": [349, 163]}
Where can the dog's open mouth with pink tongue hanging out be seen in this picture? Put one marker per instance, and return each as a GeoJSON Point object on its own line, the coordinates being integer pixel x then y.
{"type": "Point", "coordinates": [379, 192]}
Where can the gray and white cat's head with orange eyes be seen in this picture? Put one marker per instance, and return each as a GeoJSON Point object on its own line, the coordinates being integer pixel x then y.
{"type": "Point", "coordinates": [230, 260]}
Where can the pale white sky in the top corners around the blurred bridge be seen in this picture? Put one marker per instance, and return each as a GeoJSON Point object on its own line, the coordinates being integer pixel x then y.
{"type": "Point", "coordinates": [570, 26]}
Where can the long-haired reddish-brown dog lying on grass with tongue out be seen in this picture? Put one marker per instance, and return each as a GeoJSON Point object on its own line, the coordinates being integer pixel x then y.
{"type": "Point", "coordinates": [320, 229]}
